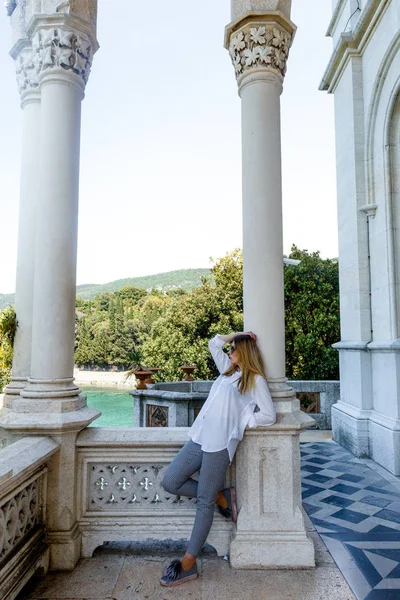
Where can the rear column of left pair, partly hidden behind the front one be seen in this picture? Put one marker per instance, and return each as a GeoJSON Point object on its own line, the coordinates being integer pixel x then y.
{"type": "Point", "coordinates": [27, 79]}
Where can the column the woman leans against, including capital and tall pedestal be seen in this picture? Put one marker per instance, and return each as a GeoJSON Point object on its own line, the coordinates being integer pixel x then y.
{"type": "Point", "coordinates": [270, 529]}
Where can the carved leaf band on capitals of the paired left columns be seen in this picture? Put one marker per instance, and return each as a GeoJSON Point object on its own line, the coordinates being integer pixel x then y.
{"type": "Point", "coordinates": [54, 48]}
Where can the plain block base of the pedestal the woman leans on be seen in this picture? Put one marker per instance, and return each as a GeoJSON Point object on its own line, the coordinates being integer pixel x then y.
{"type": "Point", "coordinates": [272, 551]}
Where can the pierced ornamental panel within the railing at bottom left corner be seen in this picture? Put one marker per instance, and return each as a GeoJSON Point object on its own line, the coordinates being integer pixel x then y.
{"type": "Point", "coordinates": [18, 516]}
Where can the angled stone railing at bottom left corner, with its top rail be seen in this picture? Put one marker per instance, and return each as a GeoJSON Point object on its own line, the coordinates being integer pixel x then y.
{"type": "Point", "coordinates": [23, 487]}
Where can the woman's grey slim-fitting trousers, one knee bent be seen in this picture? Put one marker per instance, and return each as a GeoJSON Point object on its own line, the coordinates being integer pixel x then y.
{"type": "Point", "coordinates": [177, 480]}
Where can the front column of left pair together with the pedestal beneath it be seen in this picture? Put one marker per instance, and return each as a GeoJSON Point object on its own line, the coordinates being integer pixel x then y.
{"type": "Point", "coordinates": [63, 44]}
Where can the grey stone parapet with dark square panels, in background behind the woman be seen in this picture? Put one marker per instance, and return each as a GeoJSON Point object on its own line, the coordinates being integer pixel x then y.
{"type": "Point", "coordinates": [176, 404]}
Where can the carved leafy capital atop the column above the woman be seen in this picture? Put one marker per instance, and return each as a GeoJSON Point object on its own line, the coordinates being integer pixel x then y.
{"type": "Point", "coordinates": [259, 46]}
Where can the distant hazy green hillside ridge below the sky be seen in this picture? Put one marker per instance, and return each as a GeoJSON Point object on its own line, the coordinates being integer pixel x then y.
{"type": "Point", "coordinates": [184, 278]}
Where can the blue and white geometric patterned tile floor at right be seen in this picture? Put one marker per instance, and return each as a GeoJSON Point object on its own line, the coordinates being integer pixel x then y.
{"type": "Point", "coordinates": [355, 506]}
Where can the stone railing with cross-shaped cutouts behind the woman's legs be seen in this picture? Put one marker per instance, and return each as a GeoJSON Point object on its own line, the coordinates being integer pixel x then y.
{"type": "Point", "coordinates": [120, 497]}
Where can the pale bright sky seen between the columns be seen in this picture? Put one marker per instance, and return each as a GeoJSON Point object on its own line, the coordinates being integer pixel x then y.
{"type": "Point", "coordinates": [160, 178]}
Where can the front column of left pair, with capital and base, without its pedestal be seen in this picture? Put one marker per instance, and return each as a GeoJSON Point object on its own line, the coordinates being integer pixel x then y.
{"type": "Point", "coordinates": [63, 54]}
